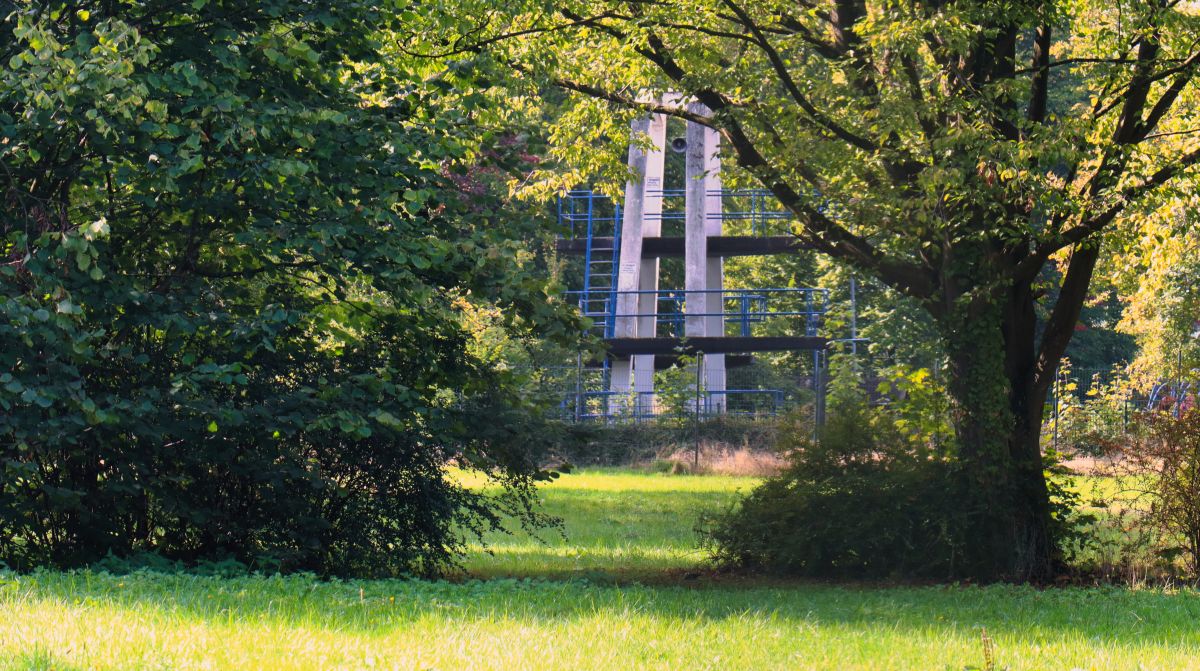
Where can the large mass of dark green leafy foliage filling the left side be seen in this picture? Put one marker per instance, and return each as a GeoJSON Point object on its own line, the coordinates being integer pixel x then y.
{"type": "Point", "coordinates": [232, 265]}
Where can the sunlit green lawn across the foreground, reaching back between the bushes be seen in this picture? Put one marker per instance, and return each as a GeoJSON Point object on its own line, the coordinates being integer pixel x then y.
{"type": "Point", "coordinates": [621, 528]}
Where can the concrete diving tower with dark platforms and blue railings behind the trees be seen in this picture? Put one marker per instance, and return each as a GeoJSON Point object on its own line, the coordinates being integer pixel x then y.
{"type": "Point", "coordinates": [622, 247]}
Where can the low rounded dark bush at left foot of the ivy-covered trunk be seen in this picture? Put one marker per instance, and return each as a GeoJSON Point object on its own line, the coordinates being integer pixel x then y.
{"type": "Point", "coordinates": [854, 505]}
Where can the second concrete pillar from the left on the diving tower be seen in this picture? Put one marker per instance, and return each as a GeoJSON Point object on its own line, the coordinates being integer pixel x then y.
{"type": "Point", "coordinates": [649, 275]}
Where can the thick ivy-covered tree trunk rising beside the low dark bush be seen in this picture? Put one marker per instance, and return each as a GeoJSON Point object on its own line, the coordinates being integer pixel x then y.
{"type": "Point", "coordinates": [993, 354]}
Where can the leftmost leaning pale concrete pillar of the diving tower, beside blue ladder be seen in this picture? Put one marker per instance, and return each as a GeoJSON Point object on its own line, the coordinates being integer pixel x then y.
{"type": "Point", "coordinates": [629, 262]}
